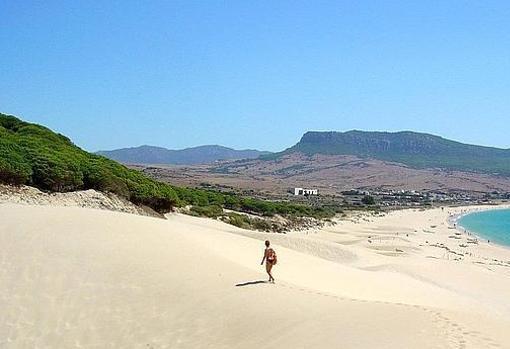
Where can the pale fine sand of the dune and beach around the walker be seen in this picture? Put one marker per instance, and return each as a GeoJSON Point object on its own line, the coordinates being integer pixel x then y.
{"type": "Point", "coordinates": [77, 277]}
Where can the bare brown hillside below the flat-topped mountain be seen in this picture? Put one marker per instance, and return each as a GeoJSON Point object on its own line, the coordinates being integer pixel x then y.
{"type": "Point", "coordinates": [330, 173]}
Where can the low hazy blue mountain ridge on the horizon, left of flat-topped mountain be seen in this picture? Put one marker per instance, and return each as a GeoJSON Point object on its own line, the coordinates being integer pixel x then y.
{"type": "Point", "coordinates": [146, 154]}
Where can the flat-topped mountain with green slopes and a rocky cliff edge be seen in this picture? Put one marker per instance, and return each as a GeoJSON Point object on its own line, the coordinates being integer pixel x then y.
{"type": "Point", "coordinates": [413, 149]}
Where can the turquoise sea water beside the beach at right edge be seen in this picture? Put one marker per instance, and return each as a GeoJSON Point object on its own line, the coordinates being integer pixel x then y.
{"type": "Point", "coordinates": [493, 225]}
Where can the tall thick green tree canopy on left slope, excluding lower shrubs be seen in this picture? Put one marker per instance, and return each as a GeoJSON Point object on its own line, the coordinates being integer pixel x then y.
{"type": "Point", "coordinates": [34, 155]}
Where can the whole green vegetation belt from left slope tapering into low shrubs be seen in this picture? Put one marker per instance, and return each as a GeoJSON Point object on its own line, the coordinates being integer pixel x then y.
{"type": "Point", "coordinates": [34, 155]}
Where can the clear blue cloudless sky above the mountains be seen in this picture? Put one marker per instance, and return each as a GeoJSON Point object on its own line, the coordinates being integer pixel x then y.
{"type": "Point", "coordinates": [256, 74]}
